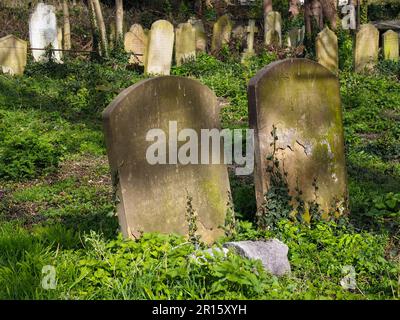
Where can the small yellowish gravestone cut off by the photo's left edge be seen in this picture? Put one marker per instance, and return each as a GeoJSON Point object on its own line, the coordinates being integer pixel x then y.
{"type": "Point", "coordinates": [13, 55]}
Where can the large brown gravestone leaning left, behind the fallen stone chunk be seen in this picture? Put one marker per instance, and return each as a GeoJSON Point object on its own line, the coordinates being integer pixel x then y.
{"type": "Point", "coordinates": [153, 198]}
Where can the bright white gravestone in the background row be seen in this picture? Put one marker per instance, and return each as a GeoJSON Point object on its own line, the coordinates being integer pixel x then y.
{"type": "Point", "coordinates": [43, 32]}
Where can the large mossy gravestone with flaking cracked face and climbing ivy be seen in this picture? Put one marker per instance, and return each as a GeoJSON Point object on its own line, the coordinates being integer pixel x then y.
{"type": "Point", "coordinates": [297, 102]}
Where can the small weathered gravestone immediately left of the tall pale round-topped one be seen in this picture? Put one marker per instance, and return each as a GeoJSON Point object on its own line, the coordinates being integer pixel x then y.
{"type": "Point", "coordinates": [135, 41]}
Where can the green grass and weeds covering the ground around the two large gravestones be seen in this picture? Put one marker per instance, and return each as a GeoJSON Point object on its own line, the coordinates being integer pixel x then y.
{"type": "Point", "coordinates": [56, 205]}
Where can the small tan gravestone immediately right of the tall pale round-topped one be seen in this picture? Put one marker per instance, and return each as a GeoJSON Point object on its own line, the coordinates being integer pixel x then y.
{"type": "Point", "coordinates": [185, 43]}
